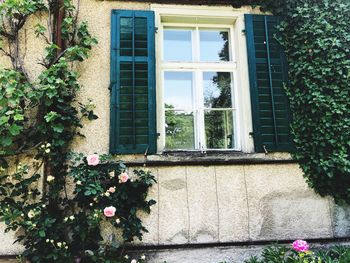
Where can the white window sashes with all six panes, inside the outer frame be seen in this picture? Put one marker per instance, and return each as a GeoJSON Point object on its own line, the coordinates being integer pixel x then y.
{"type": "Point", "coordinates": [198, 72]}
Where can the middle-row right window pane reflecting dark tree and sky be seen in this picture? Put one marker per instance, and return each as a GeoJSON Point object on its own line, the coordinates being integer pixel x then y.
{"type": "Point", "coordinates": [217, 89]}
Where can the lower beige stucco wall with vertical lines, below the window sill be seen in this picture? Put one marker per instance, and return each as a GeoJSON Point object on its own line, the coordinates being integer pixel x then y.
{"type": "Point", "coordinates": [233, 203]}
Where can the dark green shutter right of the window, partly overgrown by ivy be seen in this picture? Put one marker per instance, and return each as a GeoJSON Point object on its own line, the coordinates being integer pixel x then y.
{"type": "Point", "coordinates": [267, 73]}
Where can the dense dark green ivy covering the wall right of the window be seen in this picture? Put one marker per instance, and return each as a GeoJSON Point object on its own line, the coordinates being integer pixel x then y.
{"type": "Point", "coordinates": [316, 38]}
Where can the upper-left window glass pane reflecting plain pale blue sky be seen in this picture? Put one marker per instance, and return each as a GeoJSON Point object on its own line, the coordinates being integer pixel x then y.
{"type": "Point", "coordinates": [177, 45]}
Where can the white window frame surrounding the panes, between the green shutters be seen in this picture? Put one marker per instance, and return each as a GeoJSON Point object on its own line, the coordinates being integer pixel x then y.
{"type": "Point", "coordinates": [207, 17]}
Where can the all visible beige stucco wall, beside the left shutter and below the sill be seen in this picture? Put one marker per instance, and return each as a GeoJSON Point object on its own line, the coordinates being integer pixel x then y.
{"type": "Point", "coordinates": [199, 204]}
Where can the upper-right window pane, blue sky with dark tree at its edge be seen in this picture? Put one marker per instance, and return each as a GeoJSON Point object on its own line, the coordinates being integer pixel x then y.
{"type": "Point", "coordinates": [214, 45]}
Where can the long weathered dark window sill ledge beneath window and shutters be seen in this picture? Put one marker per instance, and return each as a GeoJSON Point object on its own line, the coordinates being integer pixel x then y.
{"type": "Point", "coordinates": [175, 158]}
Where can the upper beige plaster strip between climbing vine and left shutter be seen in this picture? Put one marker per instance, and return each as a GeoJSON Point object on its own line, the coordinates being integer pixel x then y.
{"type": "Point", "coordinates": [95, 71]}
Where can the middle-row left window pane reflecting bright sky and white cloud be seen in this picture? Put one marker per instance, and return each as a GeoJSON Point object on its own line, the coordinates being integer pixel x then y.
{"type": "Point", "coordinates": [178, 90]}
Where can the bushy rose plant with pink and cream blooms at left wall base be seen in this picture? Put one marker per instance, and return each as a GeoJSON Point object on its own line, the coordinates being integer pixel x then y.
{"type": "Point", "coordinates": [93, 218]}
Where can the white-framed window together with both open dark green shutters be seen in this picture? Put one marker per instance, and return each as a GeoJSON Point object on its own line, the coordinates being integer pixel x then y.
{"type": "Point", "coordinates": [180, 80]}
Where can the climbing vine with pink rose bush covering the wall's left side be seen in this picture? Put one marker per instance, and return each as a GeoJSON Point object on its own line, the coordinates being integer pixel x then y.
{"type": "Point", "coordinates": [39, 117]}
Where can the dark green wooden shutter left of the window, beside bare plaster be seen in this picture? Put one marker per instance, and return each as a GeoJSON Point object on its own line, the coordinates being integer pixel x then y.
{"type": "Point", "coordinates": [133, 121]}
